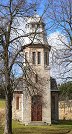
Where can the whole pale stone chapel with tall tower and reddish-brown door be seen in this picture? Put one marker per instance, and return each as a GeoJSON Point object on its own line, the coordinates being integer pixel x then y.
{"type": "Point", "coordinates": [35, 100]}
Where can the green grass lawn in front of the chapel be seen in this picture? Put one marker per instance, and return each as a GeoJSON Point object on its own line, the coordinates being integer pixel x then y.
{"type": "Point", "coordinates": [64, 127]}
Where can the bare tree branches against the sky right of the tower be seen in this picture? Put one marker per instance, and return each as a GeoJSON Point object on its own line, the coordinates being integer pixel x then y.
{"type": "Point", "coordinates": [60, 17]}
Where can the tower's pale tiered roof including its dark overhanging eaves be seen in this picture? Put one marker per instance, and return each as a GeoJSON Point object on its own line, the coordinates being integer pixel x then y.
{"type": "Point", "coordinates": [35, 27]}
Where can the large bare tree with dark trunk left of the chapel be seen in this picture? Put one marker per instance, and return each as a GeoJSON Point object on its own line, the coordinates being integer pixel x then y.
{"type": "Point", "coordinates": [12, 35]}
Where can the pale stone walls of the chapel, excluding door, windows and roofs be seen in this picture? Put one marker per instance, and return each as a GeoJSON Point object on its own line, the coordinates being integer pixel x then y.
{"type": "Point", "coordinates": [42, 88]}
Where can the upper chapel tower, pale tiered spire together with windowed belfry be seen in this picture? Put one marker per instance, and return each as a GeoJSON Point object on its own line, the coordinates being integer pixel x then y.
{"type": "Point", "coordinates": [37, 50]}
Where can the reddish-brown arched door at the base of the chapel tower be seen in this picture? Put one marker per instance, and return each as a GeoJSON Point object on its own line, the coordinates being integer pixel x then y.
{"type": "Point", "coordinates": [36, 108]}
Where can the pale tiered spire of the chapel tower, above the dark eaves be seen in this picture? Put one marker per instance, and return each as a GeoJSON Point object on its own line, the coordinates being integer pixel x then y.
{"type": "Point", "coordinates": [36, 27]}
